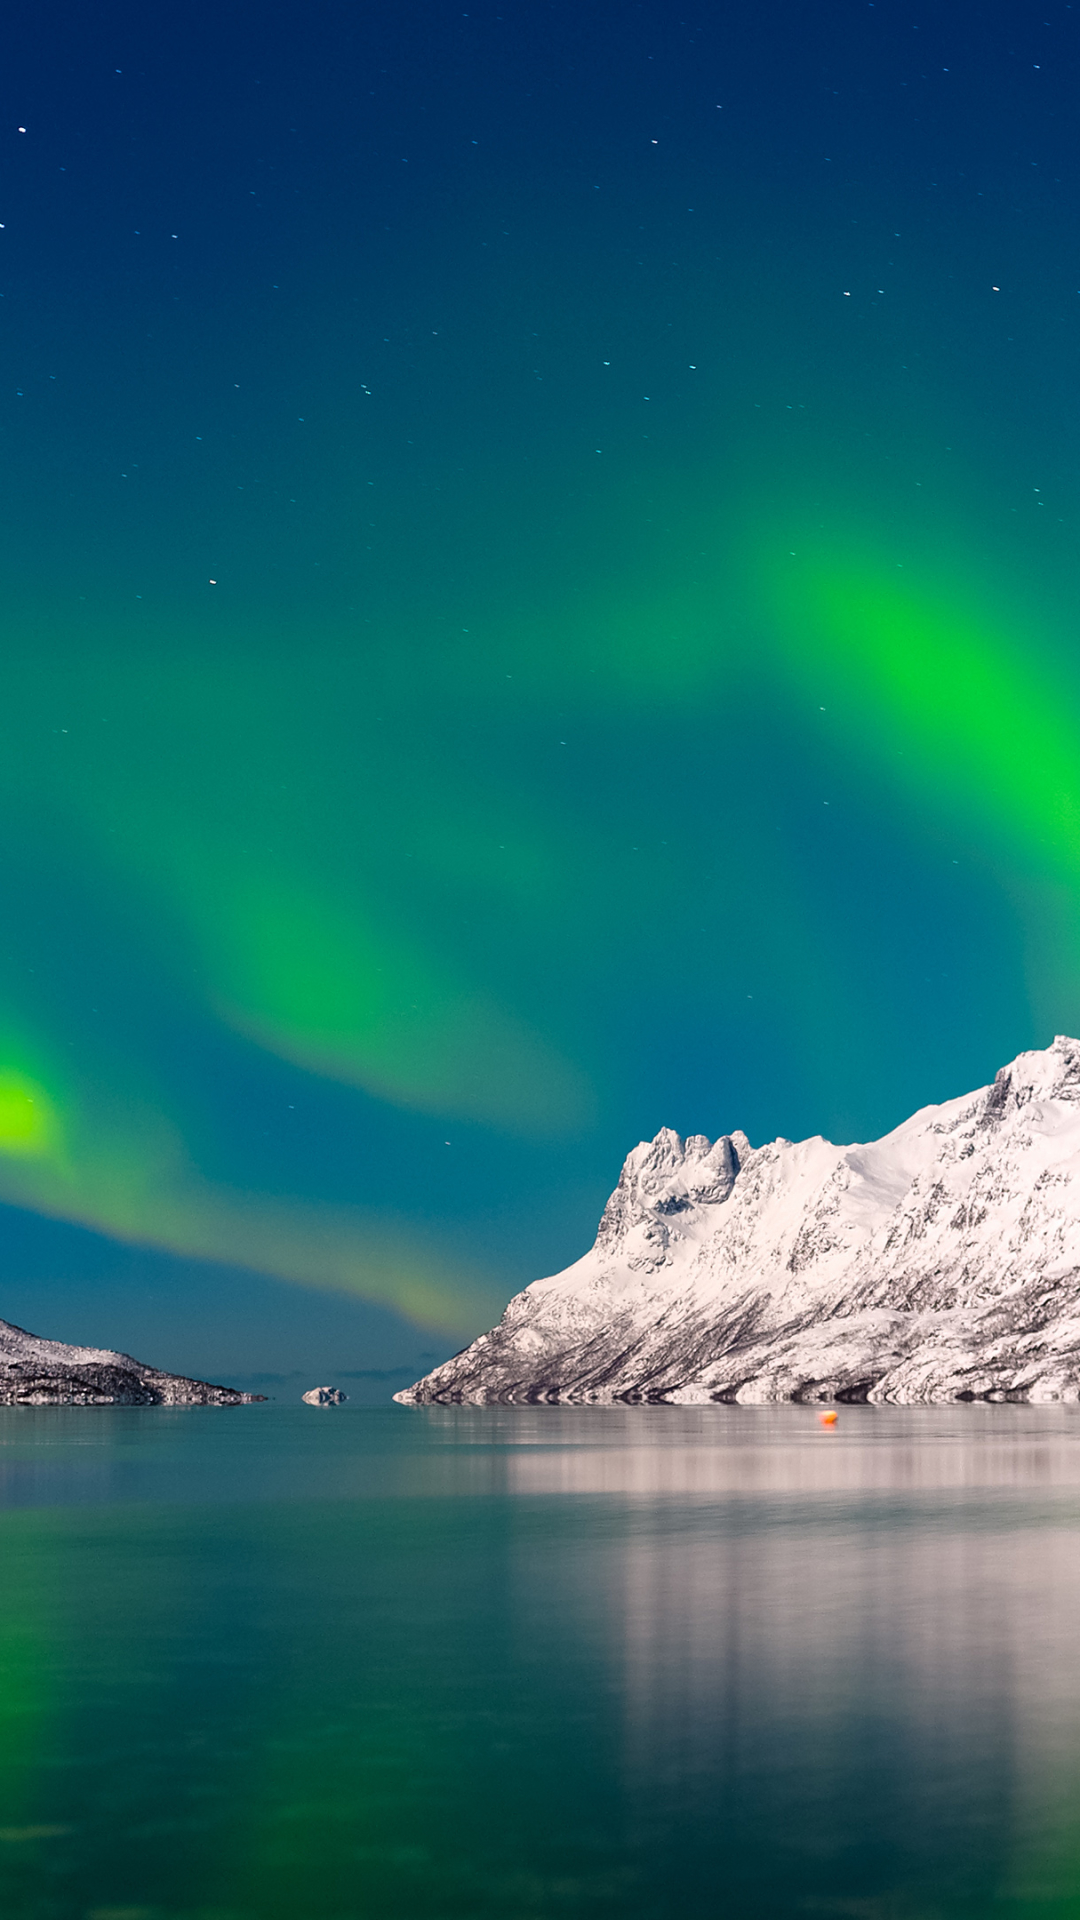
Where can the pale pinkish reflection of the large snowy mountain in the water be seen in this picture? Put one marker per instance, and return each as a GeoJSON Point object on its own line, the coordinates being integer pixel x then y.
{"type": "Point", "coordinates": [850, 1668]}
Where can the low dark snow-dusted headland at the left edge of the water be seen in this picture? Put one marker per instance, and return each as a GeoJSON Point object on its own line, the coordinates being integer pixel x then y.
{"type": "Point", "coordinates": [49, 1374]}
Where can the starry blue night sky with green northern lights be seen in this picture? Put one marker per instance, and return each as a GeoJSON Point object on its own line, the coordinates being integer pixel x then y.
{"type": "Point", "coordinates": [541, 602]}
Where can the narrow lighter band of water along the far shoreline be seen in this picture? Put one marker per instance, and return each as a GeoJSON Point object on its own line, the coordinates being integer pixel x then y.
{"type": "Point", "coordinates": [101, 1456]}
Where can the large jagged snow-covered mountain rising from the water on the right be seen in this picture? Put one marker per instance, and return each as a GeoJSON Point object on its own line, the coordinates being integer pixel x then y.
{"type": "Point", "coordinates": [937, 1264]}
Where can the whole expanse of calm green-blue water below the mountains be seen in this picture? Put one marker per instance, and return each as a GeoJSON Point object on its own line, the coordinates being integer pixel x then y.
{"type": "Point", "coordinates": [360, 1664]}
